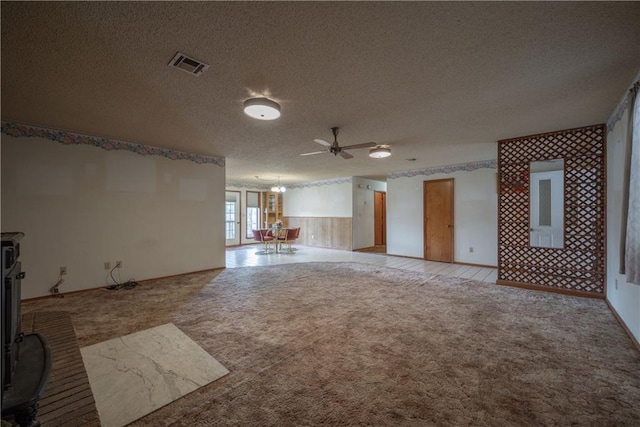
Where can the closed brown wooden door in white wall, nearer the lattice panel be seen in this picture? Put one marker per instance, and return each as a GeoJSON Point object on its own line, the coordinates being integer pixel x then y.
{"type": "Point", "coordinates": [438, 220]}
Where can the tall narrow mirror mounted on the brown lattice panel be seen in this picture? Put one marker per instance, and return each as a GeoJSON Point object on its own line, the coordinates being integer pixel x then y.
{"type": "Point", "coordinates": [546, 203]}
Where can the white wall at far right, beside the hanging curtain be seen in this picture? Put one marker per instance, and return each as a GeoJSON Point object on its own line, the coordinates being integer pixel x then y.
{"type": "Point", "coordinates": [624, 297]}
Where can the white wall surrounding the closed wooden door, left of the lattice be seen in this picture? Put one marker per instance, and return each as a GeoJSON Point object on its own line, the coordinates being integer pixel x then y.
{"type": "Point", "coordinates": [475, 217]}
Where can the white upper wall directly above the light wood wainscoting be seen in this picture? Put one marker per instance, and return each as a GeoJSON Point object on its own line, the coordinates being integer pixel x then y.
{"type": "Point", "coordinates": [320, 201]}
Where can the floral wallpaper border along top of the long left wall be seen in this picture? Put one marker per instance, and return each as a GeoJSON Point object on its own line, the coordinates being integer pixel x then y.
{"type": "Point", "coordinates": [18, 130]}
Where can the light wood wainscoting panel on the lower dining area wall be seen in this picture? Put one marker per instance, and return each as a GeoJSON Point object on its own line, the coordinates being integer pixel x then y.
{"type": "Point", "coordinates": [329, 232]}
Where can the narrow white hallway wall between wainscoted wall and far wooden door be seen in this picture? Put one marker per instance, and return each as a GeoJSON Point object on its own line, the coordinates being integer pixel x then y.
{"type": "Point", "coordinates": [363, 211]}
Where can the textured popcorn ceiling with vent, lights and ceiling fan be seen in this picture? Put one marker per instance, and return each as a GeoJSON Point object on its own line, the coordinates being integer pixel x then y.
{"type": "Point", "coordinates": [440, 82]}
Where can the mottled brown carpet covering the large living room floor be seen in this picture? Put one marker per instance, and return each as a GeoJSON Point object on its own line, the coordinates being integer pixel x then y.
{"type": "Point", "coordinates": [352, 344]}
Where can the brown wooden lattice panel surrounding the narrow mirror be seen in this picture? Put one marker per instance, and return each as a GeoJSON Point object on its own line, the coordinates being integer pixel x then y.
{"type": "Point", "coordinates": [579, 267]}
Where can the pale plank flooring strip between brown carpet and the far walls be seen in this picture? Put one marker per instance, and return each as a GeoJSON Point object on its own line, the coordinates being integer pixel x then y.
{"type": "Point", "coordinates": [246, 256]}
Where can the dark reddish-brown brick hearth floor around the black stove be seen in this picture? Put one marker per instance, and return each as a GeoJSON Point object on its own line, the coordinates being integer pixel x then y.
{"type": "Point", "coordinates": [67, 400]}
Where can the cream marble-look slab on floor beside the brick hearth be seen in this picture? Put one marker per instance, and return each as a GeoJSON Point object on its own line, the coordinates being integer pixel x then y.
{"type": "Point", "coordinates": [136, 374]}
